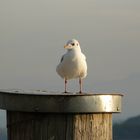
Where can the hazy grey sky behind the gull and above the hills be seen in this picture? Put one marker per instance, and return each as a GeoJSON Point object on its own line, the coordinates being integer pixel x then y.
{"type": "Point", "coordinates": [33, 33]}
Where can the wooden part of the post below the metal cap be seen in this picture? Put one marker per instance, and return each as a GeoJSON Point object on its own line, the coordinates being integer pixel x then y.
{"type": "Point", "coordinates": [44, 126]}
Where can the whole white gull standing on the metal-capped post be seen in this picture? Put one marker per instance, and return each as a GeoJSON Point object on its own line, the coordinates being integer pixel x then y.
{"type": "Point", "coordinates": [73, 64]}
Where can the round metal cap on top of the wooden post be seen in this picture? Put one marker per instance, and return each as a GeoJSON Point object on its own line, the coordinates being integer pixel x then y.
{"type": "Point", "coordinates": [56, 102]}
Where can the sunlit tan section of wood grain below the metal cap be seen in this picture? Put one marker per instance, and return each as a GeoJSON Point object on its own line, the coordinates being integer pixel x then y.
{"type": "Point", "coordinates": [93, 127]}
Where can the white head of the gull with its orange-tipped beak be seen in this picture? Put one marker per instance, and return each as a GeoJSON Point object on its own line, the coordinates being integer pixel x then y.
{"type": "Point", "coordinates": [72, 44]}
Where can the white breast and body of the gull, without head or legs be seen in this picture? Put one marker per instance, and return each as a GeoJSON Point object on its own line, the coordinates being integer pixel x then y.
{"type": "Point", "coordinates": [73, 65]}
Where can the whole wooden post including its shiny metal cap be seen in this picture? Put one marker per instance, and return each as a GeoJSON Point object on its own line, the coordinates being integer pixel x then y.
{"type": "Point", "coordinates": [38, 115]}
